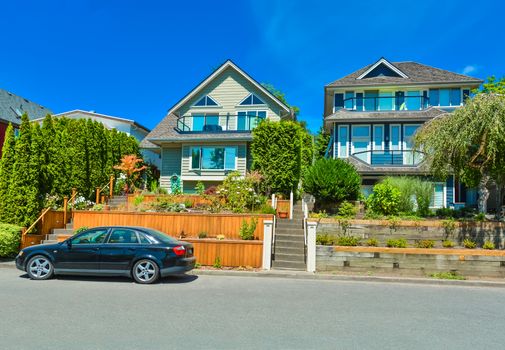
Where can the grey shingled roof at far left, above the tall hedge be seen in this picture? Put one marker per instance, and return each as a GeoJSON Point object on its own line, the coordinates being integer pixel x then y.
{"type": "Point", "coordinates": [13, 106]}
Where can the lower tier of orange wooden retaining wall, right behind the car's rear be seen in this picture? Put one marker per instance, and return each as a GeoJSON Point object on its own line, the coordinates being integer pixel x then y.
{"type": "Point", "coordinates": [230, 252]}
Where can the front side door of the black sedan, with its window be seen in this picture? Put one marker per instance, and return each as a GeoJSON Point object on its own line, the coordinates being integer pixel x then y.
{"type": "Point", "coordinates": [82, 254]}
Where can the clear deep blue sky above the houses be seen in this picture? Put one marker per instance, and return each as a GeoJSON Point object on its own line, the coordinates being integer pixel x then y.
{"type": "Point", "coordinates": [135, 59]}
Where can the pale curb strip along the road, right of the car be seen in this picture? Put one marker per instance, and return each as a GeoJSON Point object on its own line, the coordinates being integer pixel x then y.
{"type": "Point", "coordinates": [327, 277]}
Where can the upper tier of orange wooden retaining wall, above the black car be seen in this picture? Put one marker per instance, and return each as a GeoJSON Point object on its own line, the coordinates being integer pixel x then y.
{"type": "Point", "coordinates": [175, 224]}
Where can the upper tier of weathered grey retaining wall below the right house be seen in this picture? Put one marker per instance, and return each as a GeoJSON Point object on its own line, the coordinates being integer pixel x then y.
{"type": "Point", "coordinates": [413, 231]}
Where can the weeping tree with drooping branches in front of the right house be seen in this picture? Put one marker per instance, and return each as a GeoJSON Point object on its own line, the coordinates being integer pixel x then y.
{"type": "Point", "coordinates": [470, 142]}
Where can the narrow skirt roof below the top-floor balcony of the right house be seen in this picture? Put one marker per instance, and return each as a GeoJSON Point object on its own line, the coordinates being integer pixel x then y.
{"type": "Point", "coordinates": [343, 115]}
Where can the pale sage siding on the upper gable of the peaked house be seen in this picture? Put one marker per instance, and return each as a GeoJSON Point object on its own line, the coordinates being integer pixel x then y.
{"type": "Point", "coordinates": [229, 89]}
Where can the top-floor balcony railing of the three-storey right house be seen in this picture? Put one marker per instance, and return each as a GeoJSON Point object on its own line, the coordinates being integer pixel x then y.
{"type": "Point", "coordinates": [387, 103]}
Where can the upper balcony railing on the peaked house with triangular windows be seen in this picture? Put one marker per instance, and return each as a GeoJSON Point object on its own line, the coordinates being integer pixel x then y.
{"type": "Point", "coordinates": [218, 123]}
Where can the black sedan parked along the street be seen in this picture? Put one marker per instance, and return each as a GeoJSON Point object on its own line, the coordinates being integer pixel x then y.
{"type": "Point", "coordinates": [142, 253]}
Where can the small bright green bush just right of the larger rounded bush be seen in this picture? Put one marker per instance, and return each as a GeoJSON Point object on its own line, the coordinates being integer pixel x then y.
{"type": "Point", "coordinates": [385, 199]}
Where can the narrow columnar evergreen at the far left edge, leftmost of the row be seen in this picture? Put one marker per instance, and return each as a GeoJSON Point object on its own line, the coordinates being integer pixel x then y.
{"type": "Point", "coordinates": [6, 167]}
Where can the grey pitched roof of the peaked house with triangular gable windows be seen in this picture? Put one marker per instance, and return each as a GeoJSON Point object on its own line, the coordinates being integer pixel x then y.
{"type": "Point", "coordinates": [166, 129]}
